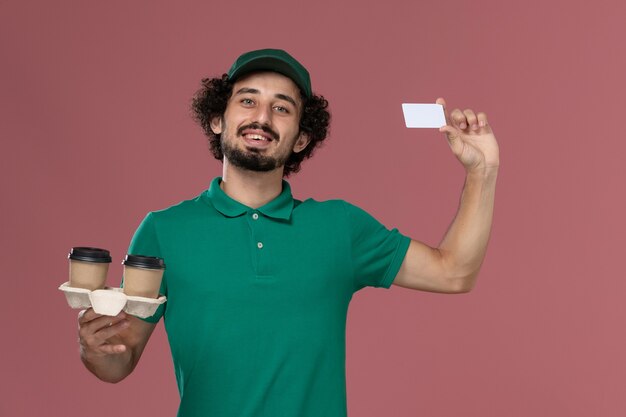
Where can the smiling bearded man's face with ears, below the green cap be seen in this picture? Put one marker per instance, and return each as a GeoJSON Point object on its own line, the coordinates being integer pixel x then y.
{"type": "Point", "coordinates": [260, 127]}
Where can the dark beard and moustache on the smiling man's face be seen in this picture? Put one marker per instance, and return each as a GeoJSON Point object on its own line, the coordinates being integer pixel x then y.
{"type": "Point", "coordinates": [251, 159]}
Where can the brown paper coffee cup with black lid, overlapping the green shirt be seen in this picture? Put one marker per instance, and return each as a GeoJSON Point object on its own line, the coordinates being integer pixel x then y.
{"type": "Point", "coordinates": [143, 275]}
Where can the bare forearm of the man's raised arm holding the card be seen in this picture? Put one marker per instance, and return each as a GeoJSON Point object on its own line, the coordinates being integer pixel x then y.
{"type": "Point", "coordinates": [465, 243]}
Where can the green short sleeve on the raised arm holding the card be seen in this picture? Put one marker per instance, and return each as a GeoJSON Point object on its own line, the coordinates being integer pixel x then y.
{"type": "Point", "coordinates": [377, 252]}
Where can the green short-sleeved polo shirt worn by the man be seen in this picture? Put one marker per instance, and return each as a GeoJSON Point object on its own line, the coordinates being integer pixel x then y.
{"type": "Point", "coordinates": [257, 299]}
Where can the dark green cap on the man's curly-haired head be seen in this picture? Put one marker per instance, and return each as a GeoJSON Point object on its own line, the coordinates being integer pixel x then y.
{"type": "Point", "coordinates": [275, 60]}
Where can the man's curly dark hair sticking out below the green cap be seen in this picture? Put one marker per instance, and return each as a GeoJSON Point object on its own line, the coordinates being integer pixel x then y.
{"type": "Point", "coordinates": [211, 99]}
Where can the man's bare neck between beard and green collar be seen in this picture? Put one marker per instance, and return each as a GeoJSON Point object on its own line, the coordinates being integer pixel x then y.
{"type": "Point", "coordinates": [253, 189]}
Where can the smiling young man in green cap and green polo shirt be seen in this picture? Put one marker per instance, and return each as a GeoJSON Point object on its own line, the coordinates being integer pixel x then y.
{"type": "Point", "coordinates": [259, 284]}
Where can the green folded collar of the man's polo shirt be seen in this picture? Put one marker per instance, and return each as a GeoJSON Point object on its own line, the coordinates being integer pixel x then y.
{"type": "Point", "coordinates": [278, 208]}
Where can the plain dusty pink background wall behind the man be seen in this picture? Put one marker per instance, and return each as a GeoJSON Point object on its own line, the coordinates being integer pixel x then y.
{"type": "Point", "coordinates": [95, 128]}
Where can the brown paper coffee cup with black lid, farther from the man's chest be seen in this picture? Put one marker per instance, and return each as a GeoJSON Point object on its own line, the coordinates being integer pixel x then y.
{"type": "Point", "coordinates": [88, 267]}
